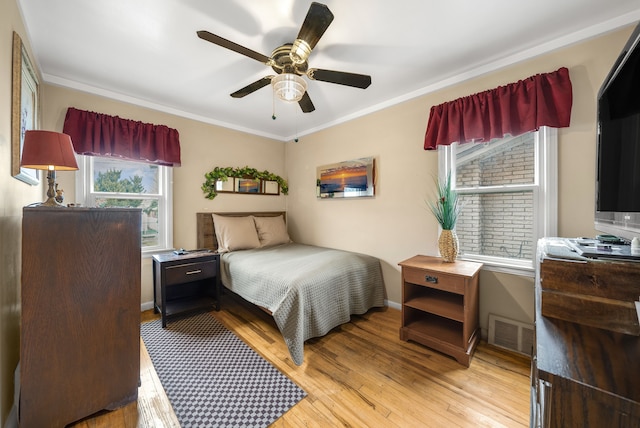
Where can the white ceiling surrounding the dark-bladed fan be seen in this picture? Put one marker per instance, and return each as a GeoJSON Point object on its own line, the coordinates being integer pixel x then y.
{"type": "Point", "coordinates": [146, 51]}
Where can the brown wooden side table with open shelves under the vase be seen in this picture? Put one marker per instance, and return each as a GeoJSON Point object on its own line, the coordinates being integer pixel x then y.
{"type": "Point", "coordinates": [440, 305]}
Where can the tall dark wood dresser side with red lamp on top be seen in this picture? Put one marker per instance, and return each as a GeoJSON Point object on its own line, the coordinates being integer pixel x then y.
{"type": "Point", "coordinates": [80, 333]}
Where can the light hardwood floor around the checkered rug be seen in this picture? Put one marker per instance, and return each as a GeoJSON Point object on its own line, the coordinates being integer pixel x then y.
{"type": "Point", "coordinates": [360, 375]}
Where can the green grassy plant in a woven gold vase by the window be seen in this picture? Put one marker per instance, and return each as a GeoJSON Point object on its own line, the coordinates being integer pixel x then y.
{"type": "Point", "coordinates": [446, 209]}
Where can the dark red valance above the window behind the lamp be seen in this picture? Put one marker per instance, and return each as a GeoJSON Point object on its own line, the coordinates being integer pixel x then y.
{"type": "Point", "coordinates": [99, 134]}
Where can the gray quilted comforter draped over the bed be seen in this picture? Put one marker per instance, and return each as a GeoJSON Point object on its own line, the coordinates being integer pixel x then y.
{"type": "Point", "coordinates": [309, 290]}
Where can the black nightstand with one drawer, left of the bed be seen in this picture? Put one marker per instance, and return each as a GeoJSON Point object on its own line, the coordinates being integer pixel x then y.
{"type": "Point", "coordinates": [186, 283]}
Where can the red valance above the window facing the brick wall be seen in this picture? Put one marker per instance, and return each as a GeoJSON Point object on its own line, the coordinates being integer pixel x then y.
{"type": "Point", "coordinates": [523, 106]}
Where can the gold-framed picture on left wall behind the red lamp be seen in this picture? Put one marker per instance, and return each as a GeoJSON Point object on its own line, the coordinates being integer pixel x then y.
{"type": "Point", "coordinates": [25, 105]}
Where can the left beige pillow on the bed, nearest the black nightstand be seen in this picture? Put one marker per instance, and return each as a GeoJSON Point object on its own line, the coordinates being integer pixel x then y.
{"type": "Point", "coordinates": [235, 233]}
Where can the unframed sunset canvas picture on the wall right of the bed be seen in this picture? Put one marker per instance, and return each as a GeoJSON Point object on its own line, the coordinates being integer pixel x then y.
{"type": "Point", "coordinates": [349, 179]}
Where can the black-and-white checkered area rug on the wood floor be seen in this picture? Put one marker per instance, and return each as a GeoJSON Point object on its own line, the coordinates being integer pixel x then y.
{"type": "Point", "coordinates": [212, 378]}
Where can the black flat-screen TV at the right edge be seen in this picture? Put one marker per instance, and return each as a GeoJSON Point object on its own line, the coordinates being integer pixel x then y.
{"type": "Point", "coordinates": [618, 146]}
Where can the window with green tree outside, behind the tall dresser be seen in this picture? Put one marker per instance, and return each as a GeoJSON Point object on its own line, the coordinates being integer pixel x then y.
{"type": "Point", "coordinates": [109, 182]}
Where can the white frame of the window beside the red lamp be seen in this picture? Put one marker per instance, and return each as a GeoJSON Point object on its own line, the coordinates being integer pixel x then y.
{"type": "Point", "coordinates": [87, 197]}
